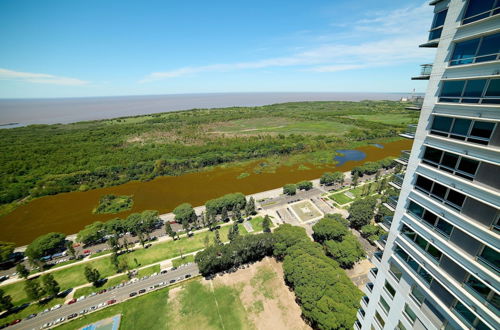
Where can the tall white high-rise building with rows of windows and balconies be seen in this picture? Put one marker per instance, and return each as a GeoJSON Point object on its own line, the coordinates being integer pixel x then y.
{"type": "Point", "coordinates": [440, 264]}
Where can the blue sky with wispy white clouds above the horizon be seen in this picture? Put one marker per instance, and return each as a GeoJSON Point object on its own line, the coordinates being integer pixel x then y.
{"type": "Point", "coordinates": [61, 48]}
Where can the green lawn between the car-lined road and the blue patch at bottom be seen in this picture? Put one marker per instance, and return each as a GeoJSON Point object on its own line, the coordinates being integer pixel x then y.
{"type": "Point", "coordinates": [144, 312]}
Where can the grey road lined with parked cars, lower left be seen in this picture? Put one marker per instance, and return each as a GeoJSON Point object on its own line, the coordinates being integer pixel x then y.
{"type": "Point", "coordinates": [119, 294]}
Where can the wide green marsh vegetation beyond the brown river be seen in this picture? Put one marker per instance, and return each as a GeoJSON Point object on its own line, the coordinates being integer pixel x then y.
{"type": "Point", "coordinates": [43, 160]}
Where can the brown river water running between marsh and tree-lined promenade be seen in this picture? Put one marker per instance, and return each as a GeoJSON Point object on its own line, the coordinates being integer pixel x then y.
{"type": "Point", "coordinates": [70, 212]}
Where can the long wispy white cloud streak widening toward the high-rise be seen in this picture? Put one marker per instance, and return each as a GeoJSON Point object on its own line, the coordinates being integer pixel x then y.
{"type": "Point", "coordinates": [394, 37]}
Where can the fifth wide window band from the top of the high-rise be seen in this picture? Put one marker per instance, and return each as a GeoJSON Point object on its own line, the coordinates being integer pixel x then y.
{"type": "Point", "coordinates": [446, 161]}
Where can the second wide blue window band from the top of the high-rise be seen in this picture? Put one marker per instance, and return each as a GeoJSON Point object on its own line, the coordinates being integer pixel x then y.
{"type": "Point", "coordinates": [478, 50]}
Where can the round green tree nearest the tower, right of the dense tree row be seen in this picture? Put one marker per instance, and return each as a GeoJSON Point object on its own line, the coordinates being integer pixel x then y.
{"type": "Point", "coordinates": [346, 252]}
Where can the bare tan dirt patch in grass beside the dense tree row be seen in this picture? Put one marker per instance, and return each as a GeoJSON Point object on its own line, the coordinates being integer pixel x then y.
{"type": "Point", "coordinates": [267, 300]}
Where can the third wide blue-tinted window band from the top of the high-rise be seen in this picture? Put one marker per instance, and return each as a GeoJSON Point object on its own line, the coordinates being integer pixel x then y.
{"type": "Point", "coordinates": [475, 91]}
